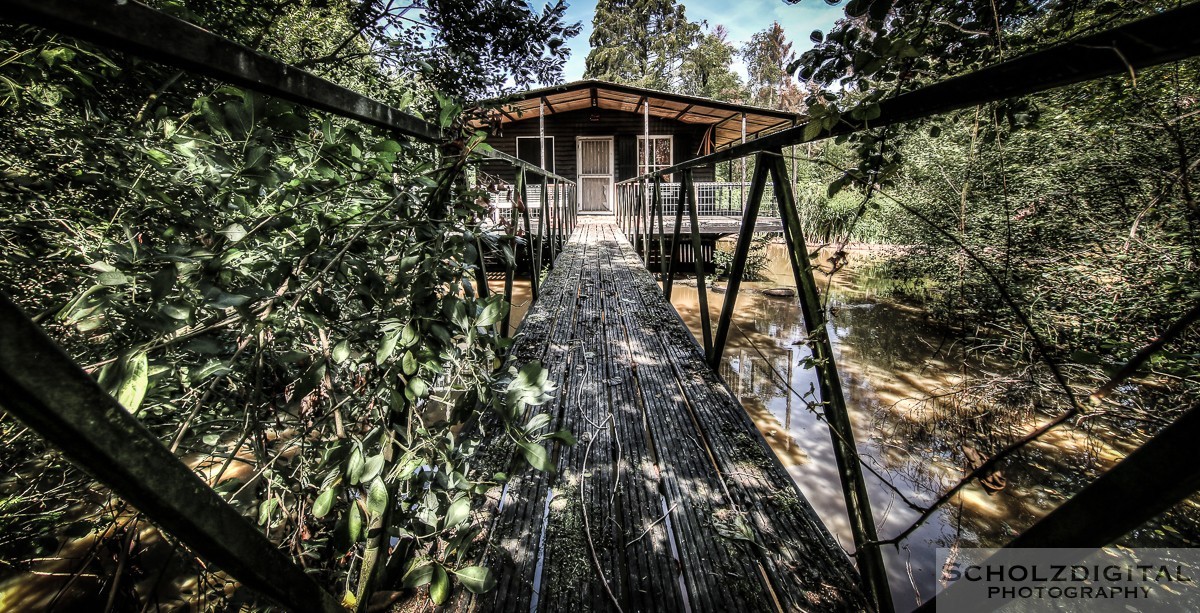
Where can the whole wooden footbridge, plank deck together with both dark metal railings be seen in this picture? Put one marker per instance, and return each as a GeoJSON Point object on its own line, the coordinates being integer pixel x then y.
{"type": "Point", "coordinates": [671, 501]}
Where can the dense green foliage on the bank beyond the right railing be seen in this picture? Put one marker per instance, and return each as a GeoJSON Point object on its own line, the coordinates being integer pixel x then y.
{"type": "Point", "coordinates": [1057, 232]}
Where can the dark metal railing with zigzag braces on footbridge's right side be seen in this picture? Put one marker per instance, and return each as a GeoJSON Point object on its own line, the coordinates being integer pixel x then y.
{"type": "Point", "coordinates": [641, 212]}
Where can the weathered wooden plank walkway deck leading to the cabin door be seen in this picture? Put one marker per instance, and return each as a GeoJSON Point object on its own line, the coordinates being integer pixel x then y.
{"type": "Point", "coordinates": [671, 491]}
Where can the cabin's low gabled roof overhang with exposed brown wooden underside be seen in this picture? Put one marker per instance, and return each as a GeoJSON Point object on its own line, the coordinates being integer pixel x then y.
{"type": "Point", "coordinates": [724, 117]}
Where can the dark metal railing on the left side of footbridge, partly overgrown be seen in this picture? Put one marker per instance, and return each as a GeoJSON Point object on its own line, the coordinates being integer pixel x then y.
{"type": "Point", "coordinates": [44, 388]}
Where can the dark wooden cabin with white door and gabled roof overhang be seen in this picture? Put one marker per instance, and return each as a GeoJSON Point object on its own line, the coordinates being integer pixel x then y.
{"type": "Point", "coordinates": [596, 133]}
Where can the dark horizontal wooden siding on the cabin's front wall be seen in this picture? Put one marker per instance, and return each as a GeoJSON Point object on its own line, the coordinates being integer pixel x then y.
{"type": "Point", "coordinates": [625, 128]}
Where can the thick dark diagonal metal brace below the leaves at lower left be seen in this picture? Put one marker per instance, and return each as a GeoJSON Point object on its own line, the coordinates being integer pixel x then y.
{"type": "Point", "coordinates": [46, 390]}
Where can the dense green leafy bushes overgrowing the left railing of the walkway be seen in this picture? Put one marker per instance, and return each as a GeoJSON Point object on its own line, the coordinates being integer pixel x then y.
{"type": "Point", "coordinates": [286, 299]}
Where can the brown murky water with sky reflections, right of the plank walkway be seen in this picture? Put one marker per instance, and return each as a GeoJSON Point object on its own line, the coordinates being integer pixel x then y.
{"type": "Point", "coordinates": [899, 371]}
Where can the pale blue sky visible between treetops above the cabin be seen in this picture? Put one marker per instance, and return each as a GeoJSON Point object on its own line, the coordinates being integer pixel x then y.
{"type": "Point", "coordinates": [742, 19]}
